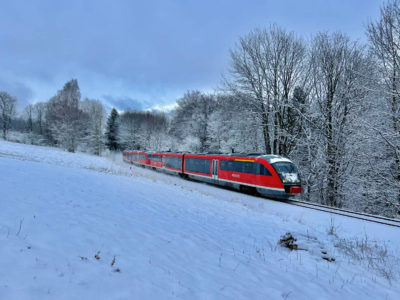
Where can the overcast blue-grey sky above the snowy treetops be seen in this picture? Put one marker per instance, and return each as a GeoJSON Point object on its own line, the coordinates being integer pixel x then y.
{"type": "Point", "coordinates": [146, 54]}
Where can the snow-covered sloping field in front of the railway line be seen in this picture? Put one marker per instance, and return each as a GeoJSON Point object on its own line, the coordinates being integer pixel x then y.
{"type": "Point", "coordinates": [75, 226]}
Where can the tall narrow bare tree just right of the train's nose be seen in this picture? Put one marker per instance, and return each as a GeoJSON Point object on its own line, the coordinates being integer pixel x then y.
{"type": "Point", "coordinates": [338, 66]}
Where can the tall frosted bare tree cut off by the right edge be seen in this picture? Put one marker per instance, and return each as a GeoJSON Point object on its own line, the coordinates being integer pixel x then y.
{"type": "Point", "coordinates": [384, 37]}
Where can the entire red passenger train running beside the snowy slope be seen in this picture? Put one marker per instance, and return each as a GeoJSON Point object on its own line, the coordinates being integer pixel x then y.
{"type": "Point", "coordinates": [270, 175]}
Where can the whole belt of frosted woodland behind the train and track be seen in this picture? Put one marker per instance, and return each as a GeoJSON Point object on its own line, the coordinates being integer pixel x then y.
{"type": "Point", "coordinates": [331, 104]}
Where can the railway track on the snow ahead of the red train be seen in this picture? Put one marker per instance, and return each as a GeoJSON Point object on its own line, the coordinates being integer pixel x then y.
{"type": "Point", "coordinates": [346, 213]}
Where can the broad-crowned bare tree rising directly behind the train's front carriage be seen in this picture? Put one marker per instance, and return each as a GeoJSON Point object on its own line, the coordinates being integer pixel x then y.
{"type": "Point", "coordinates": [267, 65]}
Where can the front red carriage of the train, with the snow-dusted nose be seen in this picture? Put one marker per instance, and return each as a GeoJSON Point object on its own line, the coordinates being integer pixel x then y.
{"type": "Point", "coordinates": [270, 175]}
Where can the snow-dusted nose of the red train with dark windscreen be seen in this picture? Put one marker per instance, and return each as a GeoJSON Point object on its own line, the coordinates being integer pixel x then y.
{"type": "Point", "coordinates": [288, 175]}
